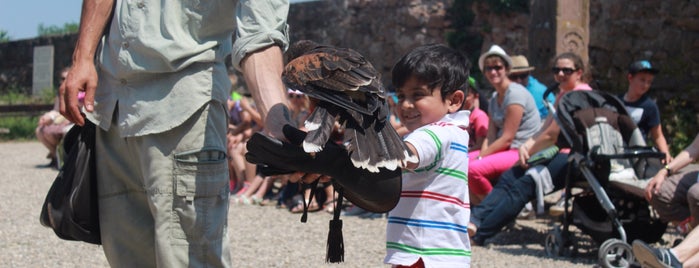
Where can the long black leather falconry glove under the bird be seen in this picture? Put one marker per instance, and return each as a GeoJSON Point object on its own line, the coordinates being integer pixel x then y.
{"type": "Point", "coordinates": [376, 192]}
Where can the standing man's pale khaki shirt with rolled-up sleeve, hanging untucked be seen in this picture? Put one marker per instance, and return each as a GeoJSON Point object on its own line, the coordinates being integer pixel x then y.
{"type": "Point", "coordinates": [160, 61]}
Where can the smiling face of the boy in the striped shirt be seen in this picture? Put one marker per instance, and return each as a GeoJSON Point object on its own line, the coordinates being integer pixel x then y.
{"type": "Point", "coordinates": [419, 106]}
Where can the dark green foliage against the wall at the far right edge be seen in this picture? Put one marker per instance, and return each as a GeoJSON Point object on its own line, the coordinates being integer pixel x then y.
{"type": "Point", "coordinates": [680, 124]}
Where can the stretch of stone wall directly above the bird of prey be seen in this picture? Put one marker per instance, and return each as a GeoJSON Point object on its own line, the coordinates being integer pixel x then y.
{"type": "Point", "coordinates": [382, 30]}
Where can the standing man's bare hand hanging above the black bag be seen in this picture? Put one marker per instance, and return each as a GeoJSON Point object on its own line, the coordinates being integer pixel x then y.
{"type": "Point", "coordinates": [81, 77]}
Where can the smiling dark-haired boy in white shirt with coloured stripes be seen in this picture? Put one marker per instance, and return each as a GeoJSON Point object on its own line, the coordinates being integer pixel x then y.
{"type": "Point", "coordinates": [428, 227]}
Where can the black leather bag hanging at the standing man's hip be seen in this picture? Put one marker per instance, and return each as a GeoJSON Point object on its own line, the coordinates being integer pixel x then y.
{"type": "Point", "coordinates": [70, 207]}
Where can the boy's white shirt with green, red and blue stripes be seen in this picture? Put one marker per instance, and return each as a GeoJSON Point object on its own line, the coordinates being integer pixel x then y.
{"type": "Point", "coordinates": [431, 217]}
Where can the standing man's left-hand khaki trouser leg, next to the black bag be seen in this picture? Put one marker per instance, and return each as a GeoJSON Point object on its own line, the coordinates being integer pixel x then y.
{"type": "Point", "coordinates": [126, 222]}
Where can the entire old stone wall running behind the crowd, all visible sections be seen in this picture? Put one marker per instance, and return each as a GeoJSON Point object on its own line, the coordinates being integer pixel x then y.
{"type": "Point", "coordinates": [666, 32]}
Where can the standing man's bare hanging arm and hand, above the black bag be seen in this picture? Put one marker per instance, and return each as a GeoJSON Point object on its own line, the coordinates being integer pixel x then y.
{"type": "Point", "coordinates": [95, 17]}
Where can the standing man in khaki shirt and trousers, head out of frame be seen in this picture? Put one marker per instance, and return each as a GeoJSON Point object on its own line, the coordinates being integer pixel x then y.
{"type": "Point", "coordinates": [156, 85]}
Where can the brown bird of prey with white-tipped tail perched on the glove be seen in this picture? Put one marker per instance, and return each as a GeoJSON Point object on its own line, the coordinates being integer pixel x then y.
{"type": "Point", "coordinates": [345, 88]}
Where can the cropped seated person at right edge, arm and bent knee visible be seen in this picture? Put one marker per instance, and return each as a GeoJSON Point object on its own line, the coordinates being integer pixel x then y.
{"type": "Point", "coordinates": [674, 191]}
